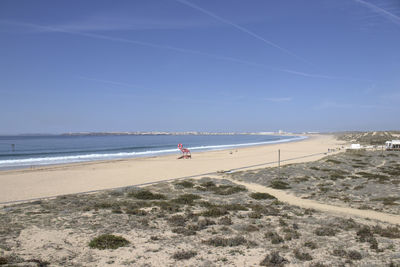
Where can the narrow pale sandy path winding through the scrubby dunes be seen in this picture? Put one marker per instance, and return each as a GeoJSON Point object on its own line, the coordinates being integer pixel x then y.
{"type": "Point", "coordinates": [311, 204]}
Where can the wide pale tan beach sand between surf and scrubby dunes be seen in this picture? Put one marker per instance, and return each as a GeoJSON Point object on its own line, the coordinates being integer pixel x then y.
{"type": "Point", "coordinates": [75, 178]}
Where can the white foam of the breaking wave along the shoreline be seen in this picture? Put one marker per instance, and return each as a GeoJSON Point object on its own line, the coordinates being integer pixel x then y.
{"type": "Point", "coordinates": [120, 155]}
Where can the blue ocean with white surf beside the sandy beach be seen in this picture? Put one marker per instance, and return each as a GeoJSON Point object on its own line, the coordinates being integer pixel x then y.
{"type": "Point", "coordinates": [29, 151]}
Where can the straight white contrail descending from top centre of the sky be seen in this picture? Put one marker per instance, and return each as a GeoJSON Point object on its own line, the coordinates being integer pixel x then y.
{"type": "Point", "coordinates": [240, 28]}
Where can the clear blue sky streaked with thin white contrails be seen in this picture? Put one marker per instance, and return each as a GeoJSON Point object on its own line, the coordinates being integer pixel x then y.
{"type": "Point", "coordinates": [176, 65]}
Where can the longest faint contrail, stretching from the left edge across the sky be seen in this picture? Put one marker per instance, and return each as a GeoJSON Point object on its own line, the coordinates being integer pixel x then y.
{"type": "Point", "coordinates": [177, 49]}
